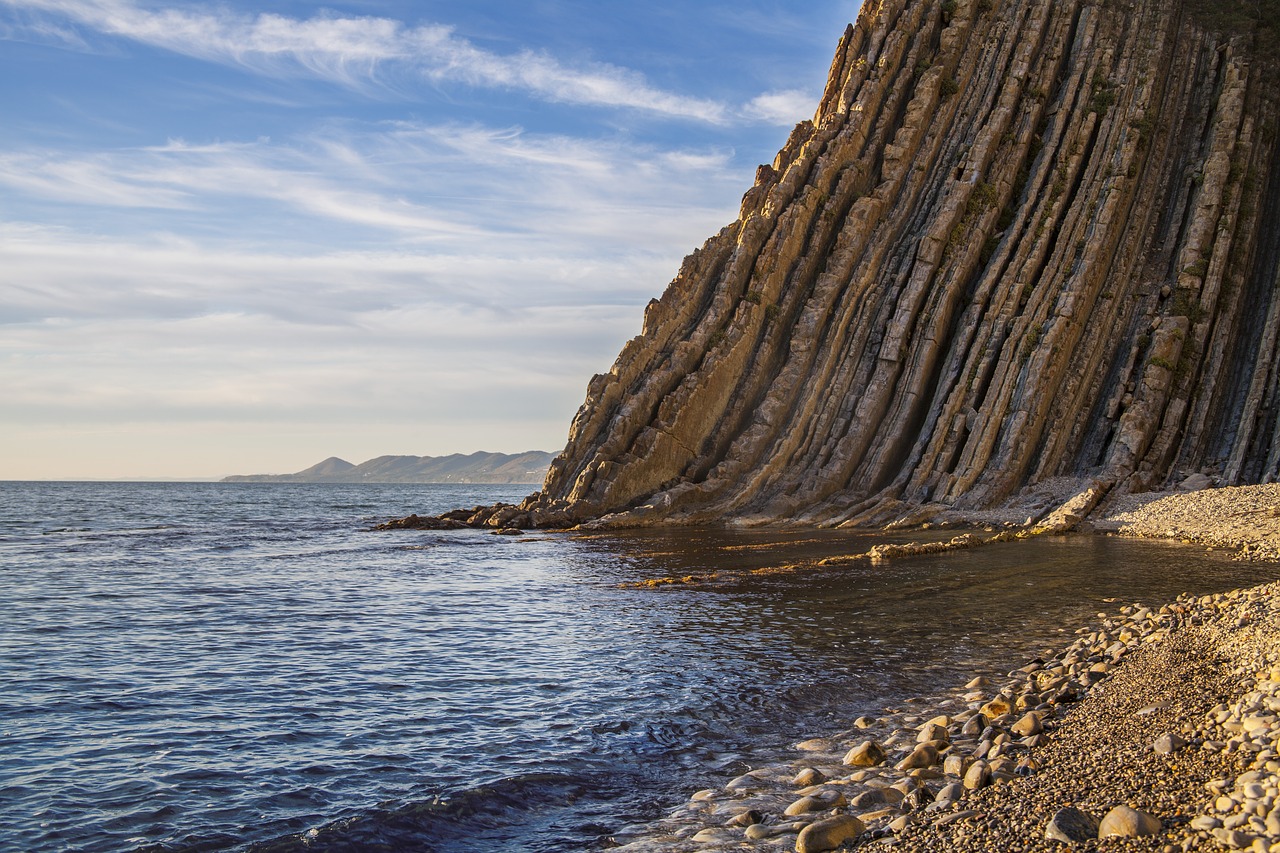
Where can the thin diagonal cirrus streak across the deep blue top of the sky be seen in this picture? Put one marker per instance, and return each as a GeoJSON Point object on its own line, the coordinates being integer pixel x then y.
{"type": "Point", "coordinates": [353, 52]}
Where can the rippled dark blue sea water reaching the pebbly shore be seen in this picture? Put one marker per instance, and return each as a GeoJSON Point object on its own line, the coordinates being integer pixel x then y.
{"type": "Point", "coordinates": [252, 668]}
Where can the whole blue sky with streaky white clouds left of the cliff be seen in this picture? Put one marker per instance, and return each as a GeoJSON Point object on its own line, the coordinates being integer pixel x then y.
{"type": "Point", "coordinates": [243, 238]}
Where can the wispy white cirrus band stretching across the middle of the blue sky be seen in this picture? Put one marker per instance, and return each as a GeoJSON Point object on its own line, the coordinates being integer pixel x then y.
{"type": "Point", "coordinates": [464, 188]}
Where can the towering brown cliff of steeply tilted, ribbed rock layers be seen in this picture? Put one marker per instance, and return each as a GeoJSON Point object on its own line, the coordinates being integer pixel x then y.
{"type": "Point", "coordinates": [1020, 240]}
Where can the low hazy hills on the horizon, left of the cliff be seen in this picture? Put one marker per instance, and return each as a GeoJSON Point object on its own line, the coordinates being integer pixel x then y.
{"type": "Point", "coordinates": [458, 468]}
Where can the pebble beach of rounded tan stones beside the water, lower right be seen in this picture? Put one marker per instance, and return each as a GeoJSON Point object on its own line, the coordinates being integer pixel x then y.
{"type": "Point", "coordinates": [1156, 729]}
